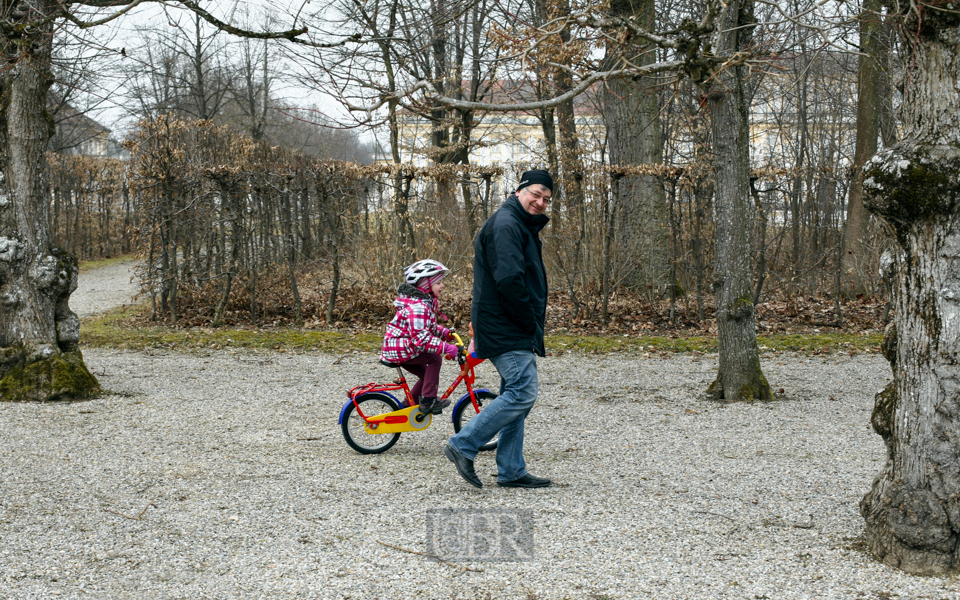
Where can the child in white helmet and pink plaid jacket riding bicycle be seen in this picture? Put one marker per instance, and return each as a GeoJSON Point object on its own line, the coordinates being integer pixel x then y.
{"type": "Point", "coordinates": [413, 339]}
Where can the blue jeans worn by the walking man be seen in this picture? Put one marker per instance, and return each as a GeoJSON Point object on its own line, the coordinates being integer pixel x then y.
{"type": "Point", "coordinates": [505, 414]}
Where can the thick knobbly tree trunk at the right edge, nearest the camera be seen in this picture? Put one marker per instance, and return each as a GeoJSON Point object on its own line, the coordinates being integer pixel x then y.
{"type": "Point", "coordinates": [912, 512]}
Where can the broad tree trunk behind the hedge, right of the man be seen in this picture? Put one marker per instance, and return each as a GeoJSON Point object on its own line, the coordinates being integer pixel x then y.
{"type": "Point", "coordinates": [632, 118]}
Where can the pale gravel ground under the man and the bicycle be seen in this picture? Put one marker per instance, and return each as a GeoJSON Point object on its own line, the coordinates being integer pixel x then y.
{"type": "Point", "coordinates": [226, 476]}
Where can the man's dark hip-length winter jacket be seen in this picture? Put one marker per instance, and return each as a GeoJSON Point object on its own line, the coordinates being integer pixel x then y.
{"type": "Point", "coordinates": [509, 282]}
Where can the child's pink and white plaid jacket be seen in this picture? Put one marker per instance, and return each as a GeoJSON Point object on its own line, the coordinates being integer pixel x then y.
{"type": "Point", "coordinates": [413, 329]}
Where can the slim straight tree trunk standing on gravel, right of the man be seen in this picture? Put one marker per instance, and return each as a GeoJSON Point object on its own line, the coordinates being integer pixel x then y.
{"type": "Point", "coordinates": [739, 377]}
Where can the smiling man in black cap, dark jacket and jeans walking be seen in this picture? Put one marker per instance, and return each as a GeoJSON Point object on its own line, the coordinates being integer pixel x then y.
{"type": "Point", "coordinates": [509, 312]}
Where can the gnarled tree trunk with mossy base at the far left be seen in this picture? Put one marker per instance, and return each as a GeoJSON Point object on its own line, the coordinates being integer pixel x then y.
{"type": "Point", "coordinates": [39, 356]}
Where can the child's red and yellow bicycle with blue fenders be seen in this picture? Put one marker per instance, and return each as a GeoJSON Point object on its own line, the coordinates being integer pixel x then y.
{"type": "Point", "coordinates": [373, 418]}
